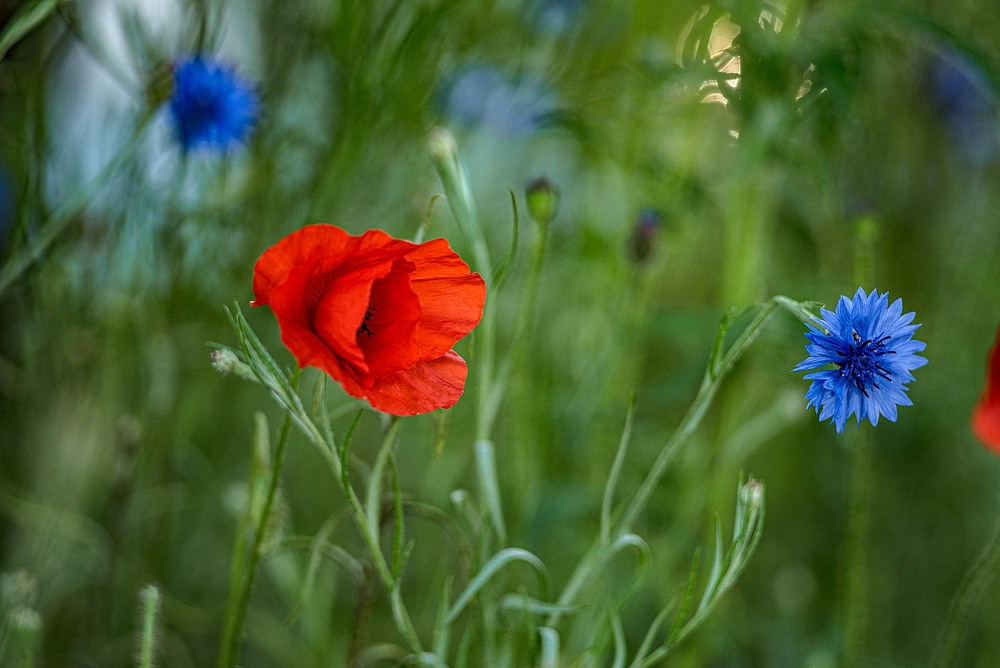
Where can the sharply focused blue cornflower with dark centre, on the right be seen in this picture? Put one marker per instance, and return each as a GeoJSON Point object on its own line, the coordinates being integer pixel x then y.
{"type": "Point", "coordinates": [865, 350]}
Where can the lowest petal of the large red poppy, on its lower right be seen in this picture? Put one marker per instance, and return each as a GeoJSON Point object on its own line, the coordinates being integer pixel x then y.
{"type": "Point", "coordinates": [423, 387]}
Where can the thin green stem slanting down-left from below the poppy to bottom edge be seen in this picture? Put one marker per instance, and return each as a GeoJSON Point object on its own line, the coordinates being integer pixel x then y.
{"type": "Point", "coordinates": [242, 579]}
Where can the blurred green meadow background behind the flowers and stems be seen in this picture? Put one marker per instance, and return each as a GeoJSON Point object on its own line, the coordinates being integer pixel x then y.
{"type": "Point", "coordinates": [756, 141]}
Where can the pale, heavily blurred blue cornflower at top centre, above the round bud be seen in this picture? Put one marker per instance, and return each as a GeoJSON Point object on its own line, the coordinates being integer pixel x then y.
{"type": "Point", "coordinates": [481, 95]}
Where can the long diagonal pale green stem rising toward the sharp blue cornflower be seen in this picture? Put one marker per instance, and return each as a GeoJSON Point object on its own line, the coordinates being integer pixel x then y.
{"type": "Point", "coordinates": [719, 365]}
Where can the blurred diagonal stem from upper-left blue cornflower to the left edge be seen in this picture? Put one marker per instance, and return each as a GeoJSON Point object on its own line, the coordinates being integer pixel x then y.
{"type": "Point", "coordinates": [17, 264]}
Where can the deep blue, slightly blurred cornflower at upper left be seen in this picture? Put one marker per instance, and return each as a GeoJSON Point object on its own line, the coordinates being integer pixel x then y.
{"type": "Point", "coordinates": [212, 106]}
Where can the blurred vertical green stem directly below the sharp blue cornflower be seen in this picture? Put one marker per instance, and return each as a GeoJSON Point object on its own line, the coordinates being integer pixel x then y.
{"type": "Point", "coordinates": [856, 566]}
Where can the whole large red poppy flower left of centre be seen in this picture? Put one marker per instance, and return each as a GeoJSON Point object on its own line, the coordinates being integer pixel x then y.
{"type": "Point", "coordinates": [380, 315]}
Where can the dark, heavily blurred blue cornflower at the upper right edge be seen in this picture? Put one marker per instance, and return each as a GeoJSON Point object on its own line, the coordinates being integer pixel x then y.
{"type": "Point", "coordinates": [966, 103]}
